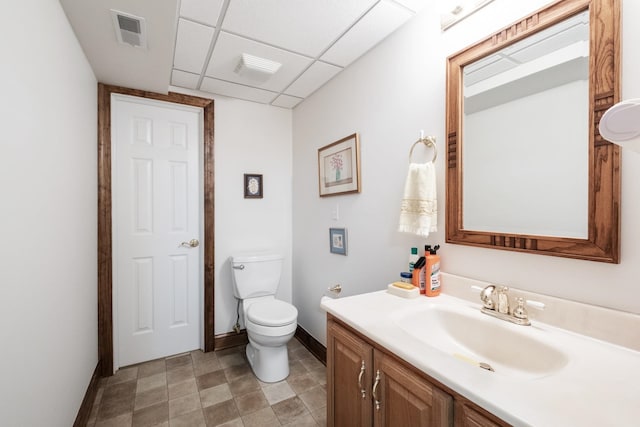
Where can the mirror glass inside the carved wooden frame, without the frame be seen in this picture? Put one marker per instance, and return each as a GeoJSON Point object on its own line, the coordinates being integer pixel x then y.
{"type": "Point", "coordinates": [525, 122]}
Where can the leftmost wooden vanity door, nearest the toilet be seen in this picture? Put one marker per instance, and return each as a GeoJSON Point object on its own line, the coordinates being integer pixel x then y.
{"type": "Point", "coordinates": [349, 370]}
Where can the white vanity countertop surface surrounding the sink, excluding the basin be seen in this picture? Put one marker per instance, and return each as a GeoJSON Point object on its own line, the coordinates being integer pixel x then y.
{"type": "Point", "coordinates": [599, 386]}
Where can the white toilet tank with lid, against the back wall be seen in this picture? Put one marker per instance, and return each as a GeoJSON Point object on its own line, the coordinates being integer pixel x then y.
{"type": "Point", "coordinates": [255, 275]}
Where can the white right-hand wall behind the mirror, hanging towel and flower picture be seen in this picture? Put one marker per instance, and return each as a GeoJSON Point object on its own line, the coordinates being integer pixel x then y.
{"type": "Point", "coordinates": [387, 96]}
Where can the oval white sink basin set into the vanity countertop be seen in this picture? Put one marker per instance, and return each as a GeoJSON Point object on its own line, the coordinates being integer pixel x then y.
{"type": "Point", "coordinates": [464, 332]}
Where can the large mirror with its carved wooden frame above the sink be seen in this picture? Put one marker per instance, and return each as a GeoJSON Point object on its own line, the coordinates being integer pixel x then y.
{"type": "Point", "coordinates": [527, 169]}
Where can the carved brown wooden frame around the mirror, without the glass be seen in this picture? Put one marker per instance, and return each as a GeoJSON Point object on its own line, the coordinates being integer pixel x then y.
{"type": "Point", "coordinates": [603, 241]}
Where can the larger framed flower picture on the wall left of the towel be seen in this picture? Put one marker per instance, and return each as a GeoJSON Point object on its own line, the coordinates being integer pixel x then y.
{"type": "Point", "coordinates": [339, 167]}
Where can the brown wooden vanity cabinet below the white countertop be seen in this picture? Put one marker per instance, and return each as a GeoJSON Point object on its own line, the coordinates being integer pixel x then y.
{"type": "Point", "coordinates": [369, 386]}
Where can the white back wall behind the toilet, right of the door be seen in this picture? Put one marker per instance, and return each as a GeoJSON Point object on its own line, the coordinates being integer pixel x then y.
{"type": "Point", "coordinates": [250, 138]}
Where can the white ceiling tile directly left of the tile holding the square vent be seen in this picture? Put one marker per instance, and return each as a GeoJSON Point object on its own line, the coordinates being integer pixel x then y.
{"type": "Point", "coordinates": [192, 46]}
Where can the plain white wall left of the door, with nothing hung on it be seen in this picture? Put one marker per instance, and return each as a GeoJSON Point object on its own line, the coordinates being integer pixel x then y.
{"type": "Point", "coordinates": [48, 306]}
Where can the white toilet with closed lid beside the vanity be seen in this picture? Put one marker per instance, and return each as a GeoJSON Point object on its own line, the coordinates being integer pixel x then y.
{"type": "Point", "coordinates": [270, 323]}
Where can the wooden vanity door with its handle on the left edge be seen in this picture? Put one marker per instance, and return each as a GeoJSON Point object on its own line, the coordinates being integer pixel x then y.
{"type": "Point", "coordinates": [403, 398]}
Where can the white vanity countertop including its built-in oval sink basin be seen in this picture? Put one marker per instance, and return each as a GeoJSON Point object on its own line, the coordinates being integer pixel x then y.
{"type": "Point", "coordinates": [544, 375]}
